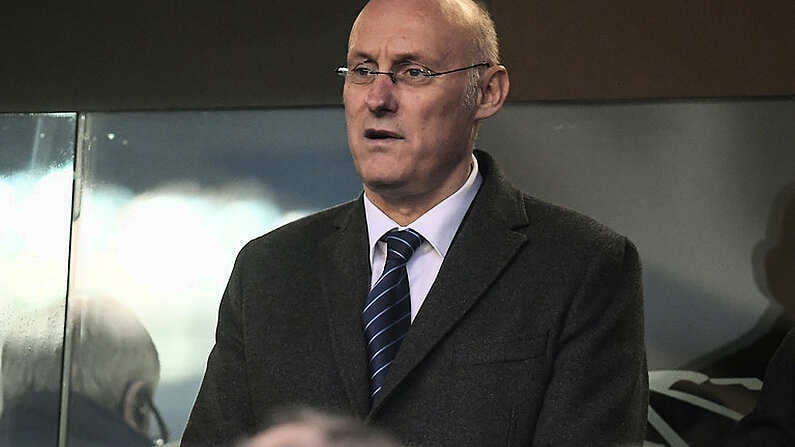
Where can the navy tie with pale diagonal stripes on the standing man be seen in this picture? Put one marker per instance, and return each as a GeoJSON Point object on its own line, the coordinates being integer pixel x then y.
{"type": "Point", "coordinates": [387, 313]}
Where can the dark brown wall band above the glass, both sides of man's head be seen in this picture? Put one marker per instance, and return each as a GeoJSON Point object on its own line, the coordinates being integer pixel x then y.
{"type": "Point", "coordinates": [92, 55]}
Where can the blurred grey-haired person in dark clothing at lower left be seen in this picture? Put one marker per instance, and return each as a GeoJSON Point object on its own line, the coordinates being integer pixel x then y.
{"type": "Point", "coordinates": [114, 372]}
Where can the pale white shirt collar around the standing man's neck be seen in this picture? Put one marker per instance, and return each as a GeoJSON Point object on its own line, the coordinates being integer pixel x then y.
{"type": "Point", "coordinates": [438, 225]}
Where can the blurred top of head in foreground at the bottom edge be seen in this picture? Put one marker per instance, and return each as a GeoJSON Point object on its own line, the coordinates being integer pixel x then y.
{"type": "Point", "coordinates": [309, 428]}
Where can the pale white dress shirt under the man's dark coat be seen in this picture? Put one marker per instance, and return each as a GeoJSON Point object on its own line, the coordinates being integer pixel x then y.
{"type": "Point", "coordinates": [438, 226]}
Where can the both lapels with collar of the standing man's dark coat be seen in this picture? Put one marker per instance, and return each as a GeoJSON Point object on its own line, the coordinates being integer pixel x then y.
{"type": "Point", "coordinates": [485, 243]}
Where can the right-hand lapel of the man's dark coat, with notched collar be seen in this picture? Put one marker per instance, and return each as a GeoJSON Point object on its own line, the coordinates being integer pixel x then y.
{"type": "Point", "coordinates": [485, 243]}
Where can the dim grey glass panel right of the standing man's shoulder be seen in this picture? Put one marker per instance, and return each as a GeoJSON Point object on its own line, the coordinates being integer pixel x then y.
{"type": "Point", "coordinates": [706, 189]}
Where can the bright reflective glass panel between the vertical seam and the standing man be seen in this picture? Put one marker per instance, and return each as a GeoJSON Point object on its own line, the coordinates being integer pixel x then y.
{"type": "Point", "coordinates": [168, 200]}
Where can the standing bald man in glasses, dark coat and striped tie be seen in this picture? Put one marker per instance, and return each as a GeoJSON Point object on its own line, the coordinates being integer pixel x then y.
{"type": "Point", "coordinates": [526, 323]}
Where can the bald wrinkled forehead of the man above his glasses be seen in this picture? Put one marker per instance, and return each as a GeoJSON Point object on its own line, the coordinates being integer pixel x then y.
{"type": "Point", "coordinates": [408, 29]}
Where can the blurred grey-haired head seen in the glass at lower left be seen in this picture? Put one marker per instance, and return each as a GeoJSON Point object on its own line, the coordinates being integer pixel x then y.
{"type": "Point", "coordinates": [113, 360]}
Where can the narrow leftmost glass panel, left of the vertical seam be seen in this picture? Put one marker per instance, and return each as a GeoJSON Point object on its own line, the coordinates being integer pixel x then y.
{"type": "Point", "coordinates": [36, 170]}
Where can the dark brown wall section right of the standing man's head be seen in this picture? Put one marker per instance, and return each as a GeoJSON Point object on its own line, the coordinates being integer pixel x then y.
{"type": "Point", "coordinates": [580, 49]}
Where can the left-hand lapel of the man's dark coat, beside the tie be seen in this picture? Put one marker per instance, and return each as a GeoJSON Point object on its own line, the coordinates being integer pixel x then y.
{"type": "Point", "coordinates": [345, 285]}
